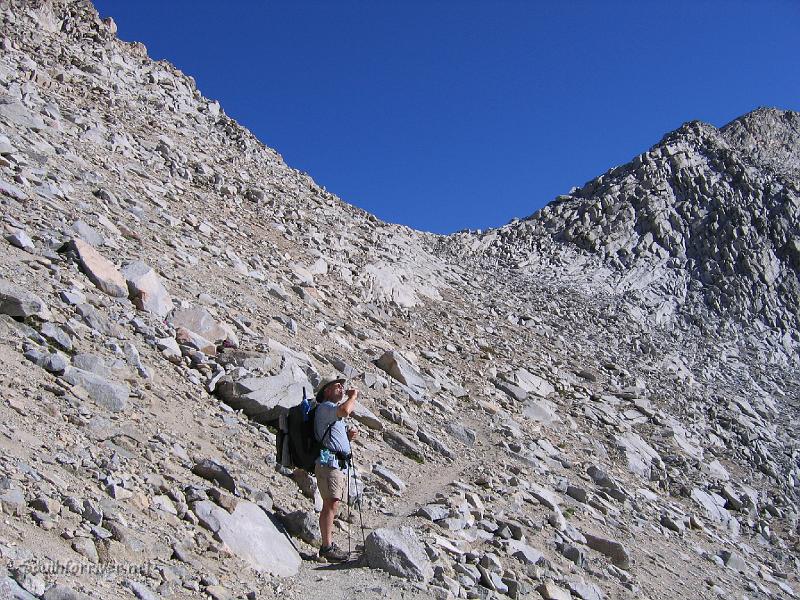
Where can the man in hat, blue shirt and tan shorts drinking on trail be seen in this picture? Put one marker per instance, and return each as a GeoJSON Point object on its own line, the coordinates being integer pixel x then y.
{"type": "Point", "coordinates": [332, 463]}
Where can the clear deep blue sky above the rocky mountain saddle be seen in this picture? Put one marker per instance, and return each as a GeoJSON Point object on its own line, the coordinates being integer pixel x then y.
{"type": "Point", "coordinates": [446, 115]}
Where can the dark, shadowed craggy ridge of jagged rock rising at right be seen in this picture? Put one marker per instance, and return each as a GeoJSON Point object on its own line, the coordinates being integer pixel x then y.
{"type": "Point", "coordinates": [705, 221]}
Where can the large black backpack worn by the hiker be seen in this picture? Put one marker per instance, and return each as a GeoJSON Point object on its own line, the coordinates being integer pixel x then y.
{"type": "Point", "coordinates": [297, 446]}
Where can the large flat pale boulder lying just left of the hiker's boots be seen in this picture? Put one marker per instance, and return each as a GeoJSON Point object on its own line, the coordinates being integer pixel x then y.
{"type": "Point", "coordinates": [251, 535]}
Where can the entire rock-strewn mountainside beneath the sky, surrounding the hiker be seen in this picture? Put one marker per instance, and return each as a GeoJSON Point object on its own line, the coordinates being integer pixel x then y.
{"type": "Point", "coordinates": [580, 410]}
